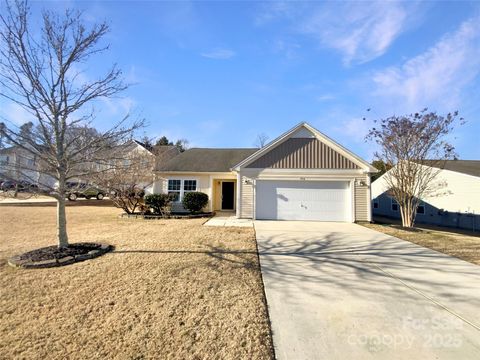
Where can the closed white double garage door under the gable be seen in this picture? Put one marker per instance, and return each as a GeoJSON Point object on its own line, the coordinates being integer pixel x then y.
{"type": "Point", "coordinates": [303, 200]}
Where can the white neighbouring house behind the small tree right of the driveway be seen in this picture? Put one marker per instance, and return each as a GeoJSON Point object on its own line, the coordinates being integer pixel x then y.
{"type": "Point", "coordinates": [455, 203]}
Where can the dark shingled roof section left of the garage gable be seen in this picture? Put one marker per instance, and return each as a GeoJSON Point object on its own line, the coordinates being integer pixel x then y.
{"type": "Point", "coordinates": [206, 160]}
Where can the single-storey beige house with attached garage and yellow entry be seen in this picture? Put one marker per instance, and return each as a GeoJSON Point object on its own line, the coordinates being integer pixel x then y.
{"type": "Point", "coordinates": [301, 175]}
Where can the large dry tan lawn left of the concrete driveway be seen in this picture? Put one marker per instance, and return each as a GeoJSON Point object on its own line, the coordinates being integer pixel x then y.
{"type": "Point", "coordinates": [171, 289]}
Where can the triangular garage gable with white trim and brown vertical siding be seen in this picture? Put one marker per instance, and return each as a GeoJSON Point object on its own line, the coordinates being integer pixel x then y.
{"type": "Point", "coordinates": [304, 147]}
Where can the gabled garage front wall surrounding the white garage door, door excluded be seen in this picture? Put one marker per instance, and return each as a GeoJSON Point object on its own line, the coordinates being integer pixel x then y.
{"type": "Point", "coordinates": [303, 155]}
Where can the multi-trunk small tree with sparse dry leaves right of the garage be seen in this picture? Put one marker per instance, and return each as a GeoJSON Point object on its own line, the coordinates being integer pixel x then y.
{"type": "Point", "coordinates": [417, 145]}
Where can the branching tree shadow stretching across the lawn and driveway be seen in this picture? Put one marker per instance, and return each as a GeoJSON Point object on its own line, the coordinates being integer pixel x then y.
{"type": "Point", "coordinates": [354, 267]}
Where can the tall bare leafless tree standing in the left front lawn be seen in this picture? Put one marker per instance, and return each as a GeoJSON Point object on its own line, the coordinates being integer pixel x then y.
{"type": "Point", "coordinates": [39, 71]}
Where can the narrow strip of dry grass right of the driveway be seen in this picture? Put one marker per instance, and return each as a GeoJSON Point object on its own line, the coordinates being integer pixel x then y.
{"type": "Point", "coordinates": [462, 245]}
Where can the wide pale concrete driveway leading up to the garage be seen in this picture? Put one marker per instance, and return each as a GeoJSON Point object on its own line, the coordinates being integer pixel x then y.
{"type": "Point", "coordinates": [342, 291]}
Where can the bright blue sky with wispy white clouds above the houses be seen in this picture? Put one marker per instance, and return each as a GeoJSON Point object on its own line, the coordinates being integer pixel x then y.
{"type": "Point", "coordinates": [219, 73]}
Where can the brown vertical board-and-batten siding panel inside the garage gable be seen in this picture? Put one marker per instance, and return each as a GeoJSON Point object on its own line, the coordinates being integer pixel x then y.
{"type": "Point", "coordinates": [303, 153]}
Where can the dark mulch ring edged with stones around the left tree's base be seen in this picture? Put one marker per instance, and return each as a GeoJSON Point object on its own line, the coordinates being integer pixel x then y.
{"type": "Point", "coordinates": [52, 256]}
